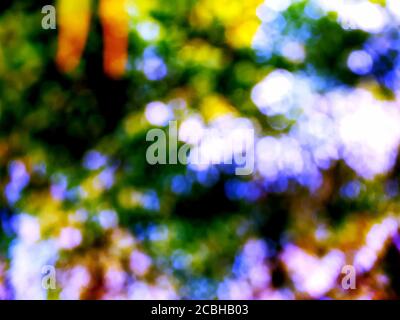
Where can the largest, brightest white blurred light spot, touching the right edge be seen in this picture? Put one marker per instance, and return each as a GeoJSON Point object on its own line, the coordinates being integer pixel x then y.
{"type": "Point", "coordinates": [369, 132]}
